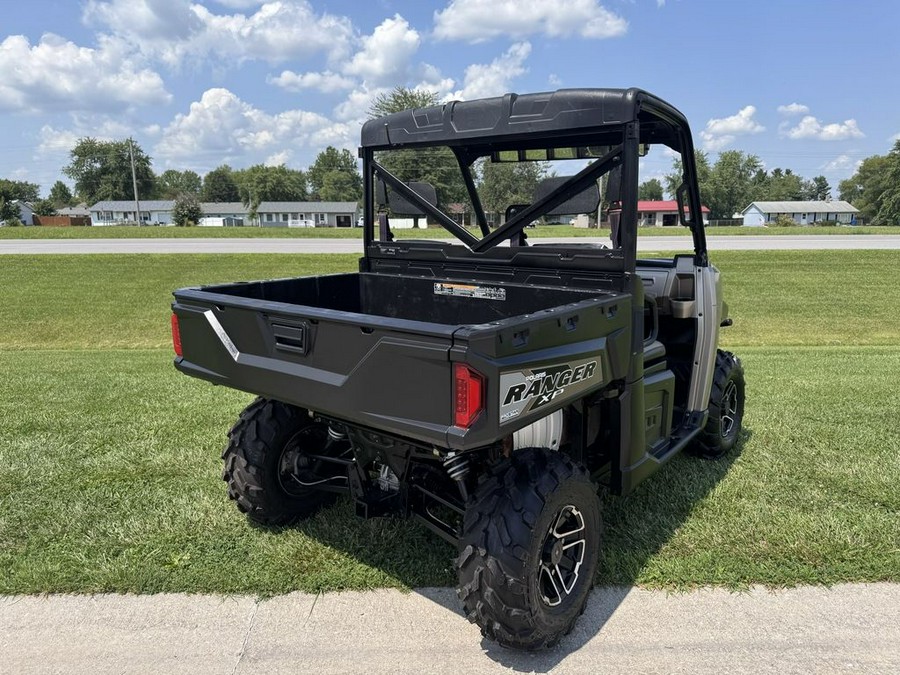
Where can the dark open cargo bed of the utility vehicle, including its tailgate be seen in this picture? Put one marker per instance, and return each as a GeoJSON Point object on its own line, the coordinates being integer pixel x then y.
{"type": "Point", "coordinates": [377, 350]}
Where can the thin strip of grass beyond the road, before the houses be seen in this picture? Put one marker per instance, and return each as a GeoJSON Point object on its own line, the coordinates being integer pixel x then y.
{"type": "Point", "coordinates": [356, 233]}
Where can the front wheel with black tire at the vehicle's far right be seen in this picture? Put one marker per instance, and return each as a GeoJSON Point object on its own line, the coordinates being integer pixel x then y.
{"type": "Point", "coordinates": [726, 408]}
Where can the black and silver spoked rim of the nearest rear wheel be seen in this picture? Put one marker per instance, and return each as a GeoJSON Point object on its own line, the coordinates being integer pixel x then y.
{"type": "Point", "coordinates": [561, 556]}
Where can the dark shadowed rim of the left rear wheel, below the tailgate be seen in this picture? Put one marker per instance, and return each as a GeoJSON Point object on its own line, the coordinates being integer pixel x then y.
{"type": "Point", "coordinates": [298, 473]}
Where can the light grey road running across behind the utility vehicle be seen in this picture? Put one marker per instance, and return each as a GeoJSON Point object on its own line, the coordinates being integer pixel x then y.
{"type": "Point", "coordinates": [296, 245]}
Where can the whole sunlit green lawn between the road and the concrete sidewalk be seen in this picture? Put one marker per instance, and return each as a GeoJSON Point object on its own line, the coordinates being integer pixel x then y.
{"type": "Point", "coordinates": [109, 458]}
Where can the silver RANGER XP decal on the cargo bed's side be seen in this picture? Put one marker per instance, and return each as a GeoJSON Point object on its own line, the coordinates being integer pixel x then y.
{"type": "Point", "coordinates": [524, 391]}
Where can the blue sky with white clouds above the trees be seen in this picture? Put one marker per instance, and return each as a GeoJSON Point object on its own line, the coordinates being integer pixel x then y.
{"type": "Point", "coordinates": [803, 84]}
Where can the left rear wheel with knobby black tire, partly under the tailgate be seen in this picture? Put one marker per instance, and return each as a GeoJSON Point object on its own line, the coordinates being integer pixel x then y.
{"type": "Point", "coordinates": [267, 470]}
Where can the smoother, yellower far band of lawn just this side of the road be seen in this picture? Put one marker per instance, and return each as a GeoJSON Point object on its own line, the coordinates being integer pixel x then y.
{"type": "Point", "coordinates": [122, 301]}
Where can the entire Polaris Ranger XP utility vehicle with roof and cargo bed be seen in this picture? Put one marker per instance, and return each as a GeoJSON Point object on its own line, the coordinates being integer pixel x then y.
{"type": "Point", "coordinates": [487, 387]}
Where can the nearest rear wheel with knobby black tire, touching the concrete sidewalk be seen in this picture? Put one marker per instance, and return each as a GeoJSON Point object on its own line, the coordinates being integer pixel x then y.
{"type": "Point", "coordinates": [529, 549]}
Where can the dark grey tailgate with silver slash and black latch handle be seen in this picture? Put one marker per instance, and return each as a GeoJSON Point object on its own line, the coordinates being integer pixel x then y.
{"type": "Point", "coordinates": [390, 374]}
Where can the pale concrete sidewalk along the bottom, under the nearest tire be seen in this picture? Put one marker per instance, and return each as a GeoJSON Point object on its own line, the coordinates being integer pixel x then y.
{"type": "Point", "coordinates": [849, 628]}
